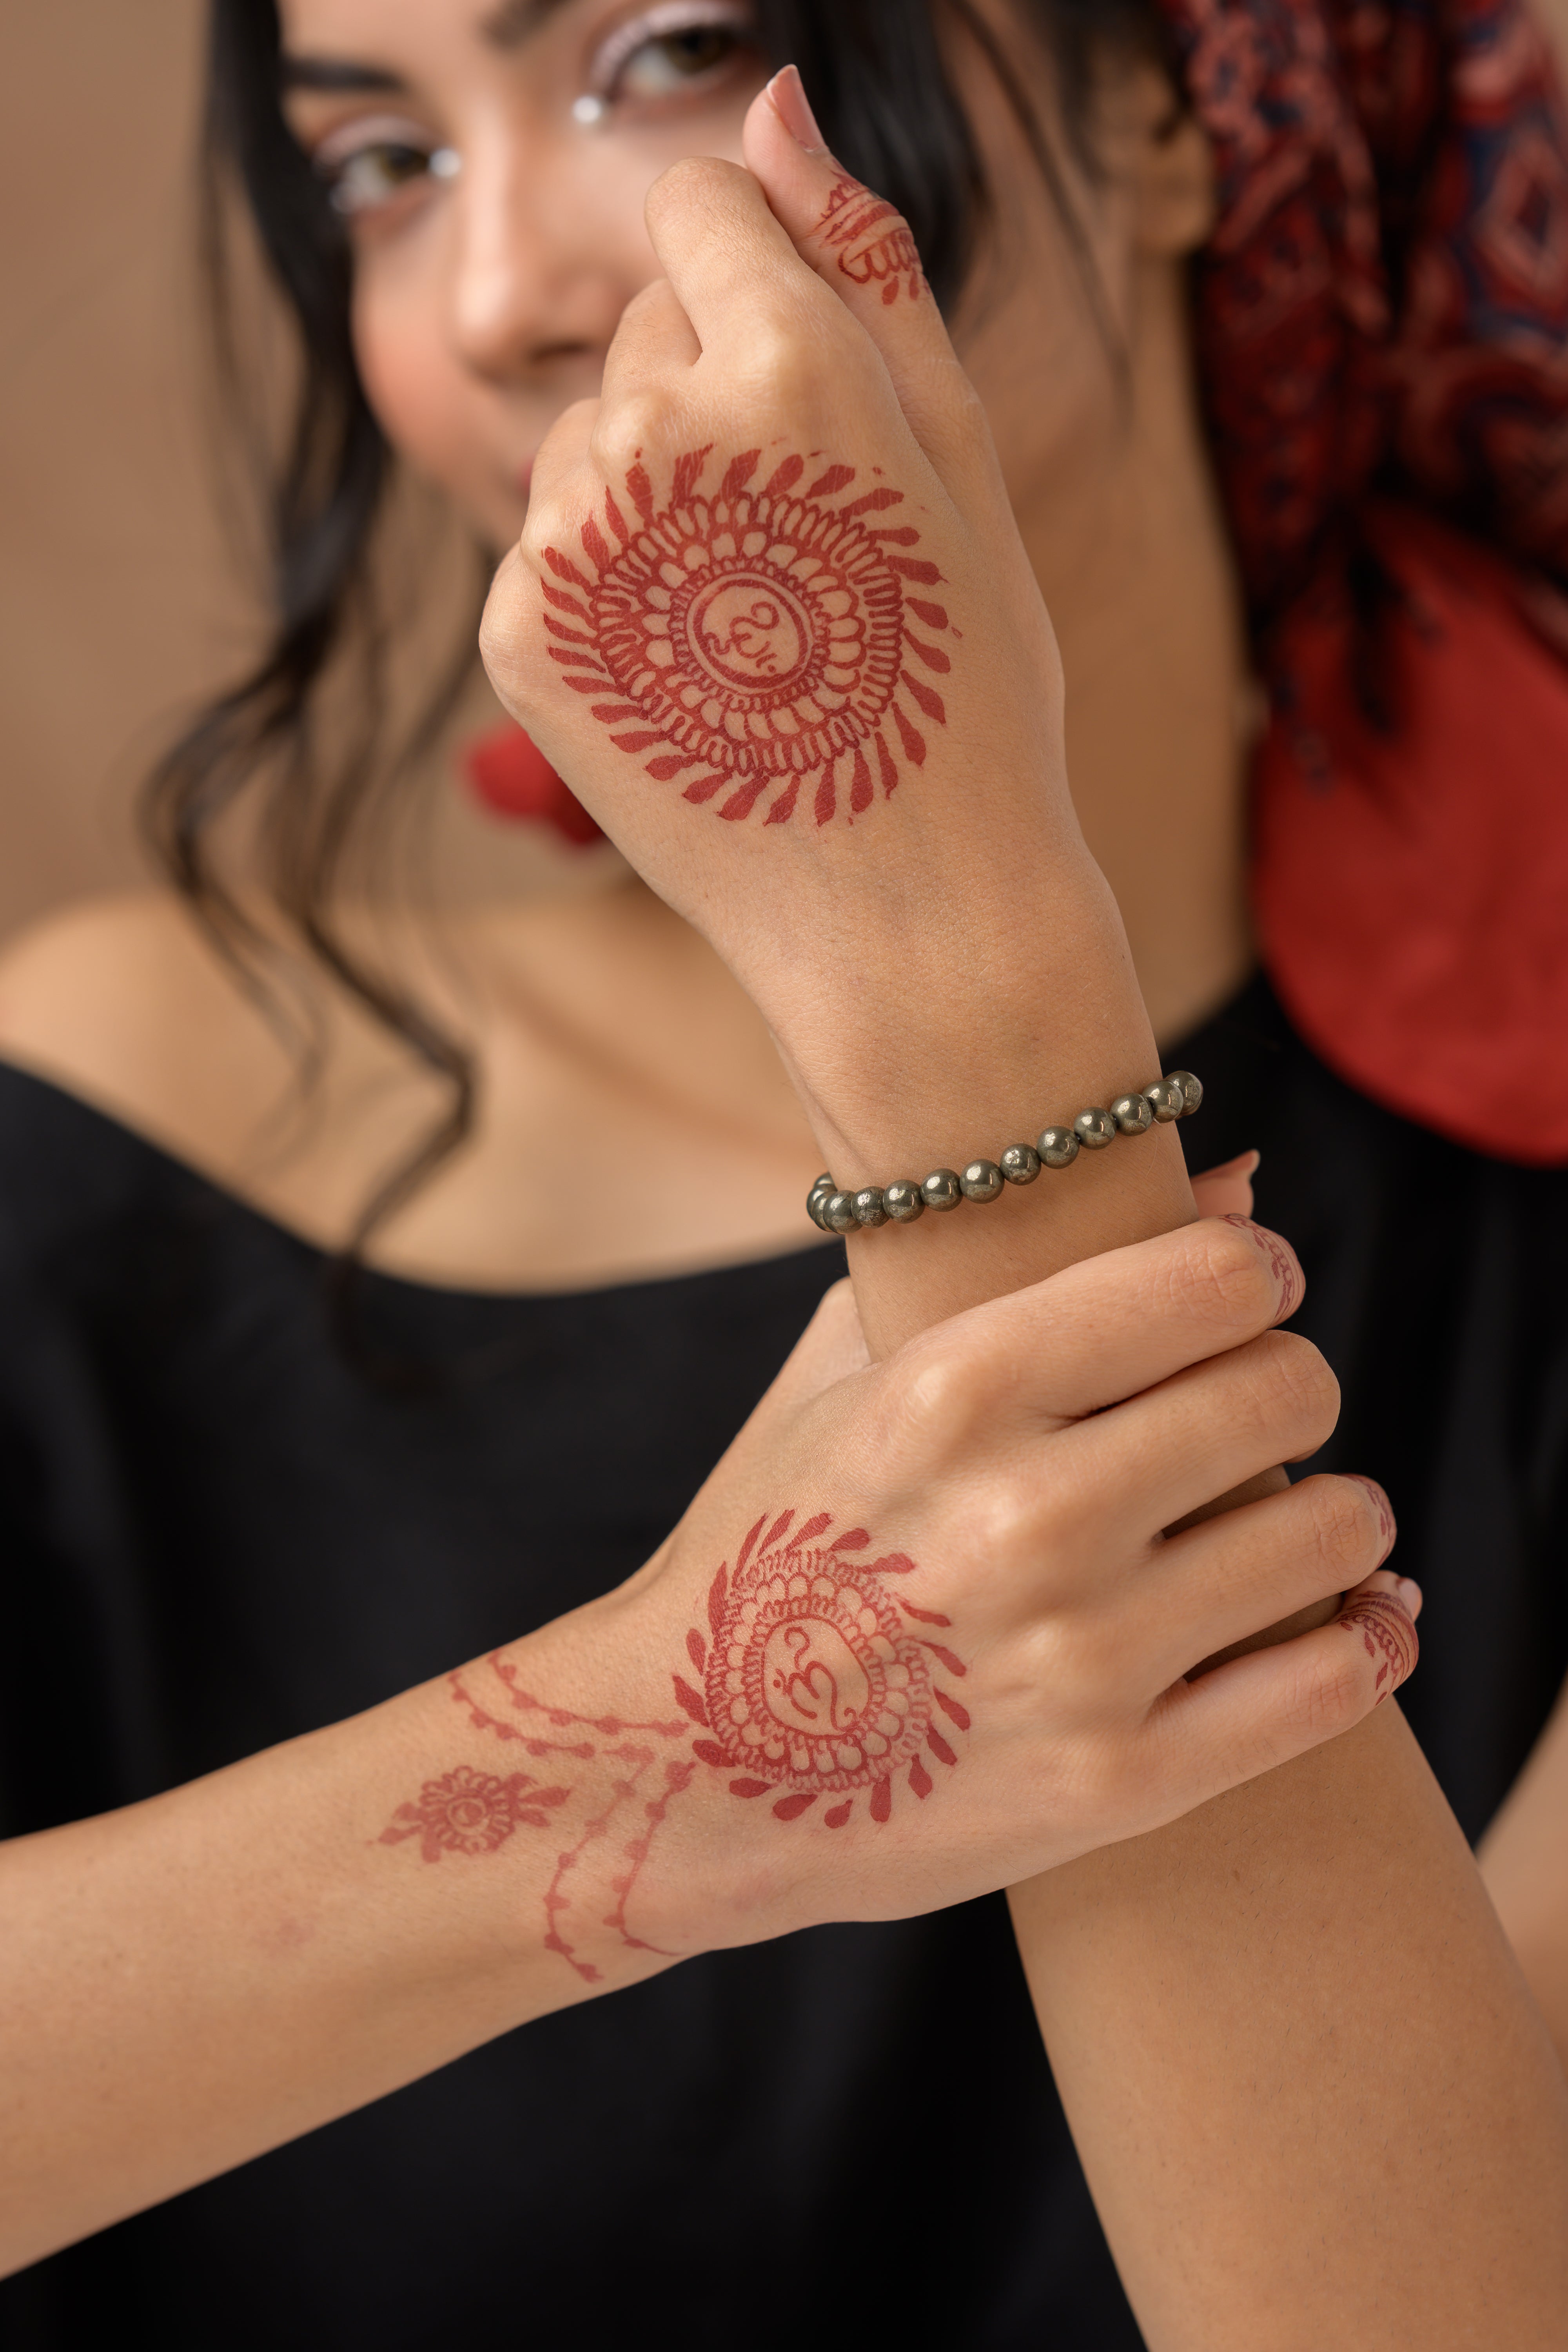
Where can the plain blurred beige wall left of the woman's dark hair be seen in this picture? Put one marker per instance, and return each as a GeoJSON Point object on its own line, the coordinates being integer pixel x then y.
{"type": "Point", "coordinates": [119, 601]}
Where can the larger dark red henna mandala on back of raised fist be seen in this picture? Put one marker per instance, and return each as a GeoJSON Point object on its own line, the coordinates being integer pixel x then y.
{"type": "Point", "coordinates": [760, 639]}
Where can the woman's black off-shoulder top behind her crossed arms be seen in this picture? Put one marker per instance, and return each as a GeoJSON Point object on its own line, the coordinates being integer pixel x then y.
{"type": "Point", "coordinates": [220, 1530]}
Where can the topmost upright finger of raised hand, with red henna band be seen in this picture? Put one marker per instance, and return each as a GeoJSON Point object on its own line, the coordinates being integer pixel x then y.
{"type": "Point", "coordinates": [862, 248]}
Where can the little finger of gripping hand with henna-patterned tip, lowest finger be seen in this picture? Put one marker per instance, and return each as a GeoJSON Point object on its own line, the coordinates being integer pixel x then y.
{"type": "Point", "coordinates": [1278, 1704]}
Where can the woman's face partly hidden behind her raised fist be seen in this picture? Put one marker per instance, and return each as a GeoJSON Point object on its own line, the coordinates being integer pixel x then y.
{"type": "Point", "coordinates": [492, 163]}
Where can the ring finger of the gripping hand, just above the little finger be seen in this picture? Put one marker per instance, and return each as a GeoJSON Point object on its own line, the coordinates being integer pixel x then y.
{"type": "Point", "coordinates": [1259, 1565]}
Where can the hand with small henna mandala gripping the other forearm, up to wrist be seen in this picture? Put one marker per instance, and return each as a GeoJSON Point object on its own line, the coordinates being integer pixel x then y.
{"type": "Point", "coordinates": [923, 1636]}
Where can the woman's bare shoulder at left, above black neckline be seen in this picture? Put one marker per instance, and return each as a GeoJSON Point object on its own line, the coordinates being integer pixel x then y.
{"type": "Point", "coordinates": [128, 1005]}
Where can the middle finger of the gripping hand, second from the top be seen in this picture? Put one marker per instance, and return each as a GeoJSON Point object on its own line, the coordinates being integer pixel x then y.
{"type": "Point", "coordinates": [1202, 1434]}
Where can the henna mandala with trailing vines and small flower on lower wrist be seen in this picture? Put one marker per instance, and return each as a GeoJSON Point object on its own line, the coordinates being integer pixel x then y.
{"type": "Point", "coordinates": [815, 1683]}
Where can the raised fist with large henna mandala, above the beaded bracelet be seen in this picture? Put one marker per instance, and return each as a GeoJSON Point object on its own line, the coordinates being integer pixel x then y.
{"type": "Point", "coordinates": [775, 622]}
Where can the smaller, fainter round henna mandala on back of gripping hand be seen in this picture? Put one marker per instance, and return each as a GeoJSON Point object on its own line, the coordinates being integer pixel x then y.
{"type": "Point", "coordinates": [812, 1681]}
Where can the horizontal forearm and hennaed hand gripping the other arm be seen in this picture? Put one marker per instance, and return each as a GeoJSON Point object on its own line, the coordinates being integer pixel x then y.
{"type": "Point", "coordinates": [203, 1977]}
